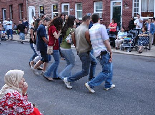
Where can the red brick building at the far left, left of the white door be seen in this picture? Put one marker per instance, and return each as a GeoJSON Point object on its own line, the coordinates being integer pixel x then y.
{"type": "Point", "coordinates": [13, 9]}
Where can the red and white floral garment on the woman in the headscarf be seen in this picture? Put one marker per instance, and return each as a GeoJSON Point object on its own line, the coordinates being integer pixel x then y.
{"type": "Point", "coordinates": [15, 104]}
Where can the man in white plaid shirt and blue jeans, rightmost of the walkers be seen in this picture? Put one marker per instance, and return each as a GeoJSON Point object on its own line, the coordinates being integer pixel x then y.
{"type": "Point", "coordinates": [102, 51]}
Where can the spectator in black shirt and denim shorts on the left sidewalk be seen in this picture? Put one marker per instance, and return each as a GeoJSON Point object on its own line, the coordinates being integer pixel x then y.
{"type": "Point", "coordinates": [21, 31]}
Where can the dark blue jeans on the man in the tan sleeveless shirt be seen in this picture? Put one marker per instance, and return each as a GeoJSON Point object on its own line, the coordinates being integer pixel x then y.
{"type": "Point", "coordinates": [86, 61]}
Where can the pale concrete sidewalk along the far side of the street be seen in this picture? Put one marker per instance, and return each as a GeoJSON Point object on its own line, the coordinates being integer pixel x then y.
{"type": "Point", "coordinates": [147, 53]}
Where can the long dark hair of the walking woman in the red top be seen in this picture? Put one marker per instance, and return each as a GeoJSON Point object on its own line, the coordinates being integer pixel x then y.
{"type": "Point", "coordinates": [57, 22]}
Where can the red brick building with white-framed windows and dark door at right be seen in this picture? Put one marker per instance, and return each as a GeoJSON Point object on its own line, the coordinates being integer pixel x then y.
{"type": "Point", "coordinates": [121, 10]}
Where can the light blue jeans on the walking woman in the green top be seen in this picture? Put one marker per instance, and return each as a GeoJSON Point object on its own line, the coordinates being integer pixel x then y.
{"type": "Point", "coordinates": [70, 59]}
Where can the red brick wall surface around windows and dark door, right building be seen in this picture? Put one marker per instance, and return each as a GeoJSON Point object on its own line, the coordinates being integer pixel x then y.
{"type": "Point", "coordinates": [88, 7]}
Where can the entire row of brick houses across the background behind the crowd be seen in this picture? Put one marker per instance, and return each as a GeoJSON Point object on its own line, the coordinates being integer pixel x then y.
{"type": "Point", "coordinates": [121, 10]}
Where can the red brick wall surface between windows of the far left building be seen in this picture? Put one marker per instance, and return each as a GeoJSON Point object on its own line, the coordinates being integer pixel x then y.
{"type": "Point", "coordinates": [15, 6]}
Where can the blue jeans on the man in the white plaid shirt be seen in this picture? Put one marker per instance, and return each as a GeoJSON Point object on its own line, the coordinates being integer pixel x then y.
{"type": "Point", "coordinates": [106, 74]}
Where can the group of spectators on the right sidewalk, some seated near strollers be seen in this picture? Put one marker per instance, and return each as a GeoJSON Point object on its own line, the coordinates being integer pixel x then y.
{"type": "Point", "coordinates": [148, 28]}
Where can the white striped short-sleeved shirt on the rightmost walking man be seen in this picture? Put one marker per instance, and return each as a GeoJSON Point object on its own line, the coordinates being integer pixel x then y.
{"type": "Point", "coordinates": [98, 34]}
